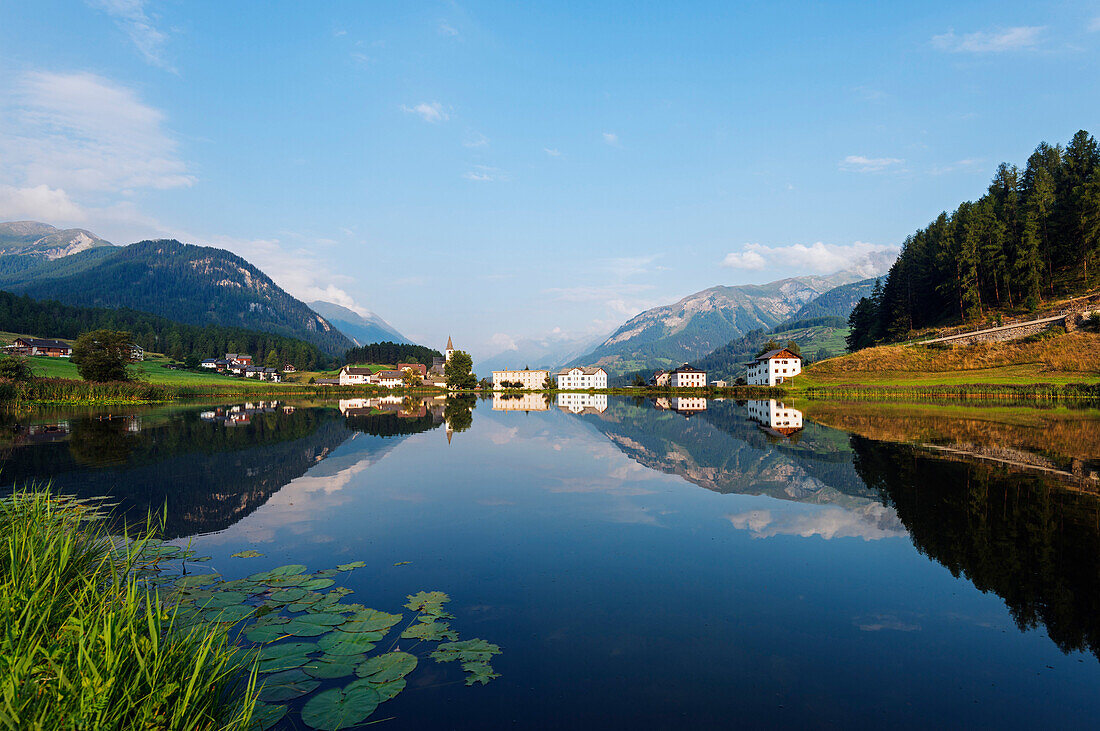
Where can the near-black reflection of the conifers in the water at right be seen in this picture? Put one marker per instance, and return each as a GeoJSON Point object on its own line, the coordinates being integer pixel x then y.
{"type": "Point", "coordinates": [1015, 534]}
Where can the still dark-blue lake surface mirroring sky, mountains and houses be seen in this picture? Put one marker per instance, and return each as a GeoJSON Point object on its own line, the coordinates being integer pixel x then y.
{"type": "Point", "coordinates": [670, 564]}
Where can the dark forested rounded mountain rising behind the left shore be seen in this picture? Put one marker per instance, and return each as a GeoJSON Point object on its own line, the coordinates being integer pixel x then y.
{"type": "Point", "coordinates": [195, 285]}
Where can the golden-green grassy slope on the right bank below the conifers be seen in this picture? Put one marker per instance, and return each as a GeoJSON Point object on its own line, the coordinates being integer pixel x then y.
{"type": "Point", "coordinates": [1057, 359]}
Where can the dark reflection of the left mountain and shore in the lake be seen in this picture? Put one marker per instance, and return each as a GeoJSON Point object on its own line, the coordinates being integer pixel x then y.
{"type": "Point", "coordinates": [208, 468]}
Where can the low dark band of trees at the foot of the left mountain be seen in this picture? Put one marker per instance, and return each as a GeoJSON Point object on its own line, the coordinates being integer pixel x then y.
{"type": "Point", "coordinates": [51, 319]}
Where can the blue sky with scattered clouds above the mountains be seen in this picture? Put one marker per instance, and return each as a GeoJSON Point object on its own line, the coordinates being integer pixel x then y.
{"type": "Point", "coordinates": [501, 172]}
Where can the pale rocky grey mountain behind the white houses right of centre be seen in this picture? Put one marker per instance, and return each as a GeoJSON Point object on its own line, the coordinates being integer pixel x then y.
{"type": "Point", "coordinates": [699, 324]}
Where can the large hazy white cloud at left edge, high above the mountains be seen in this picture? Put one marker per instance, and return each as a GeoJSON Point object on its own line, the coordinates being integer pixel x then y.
{"type": "Point", "coordinates": [85, 132]}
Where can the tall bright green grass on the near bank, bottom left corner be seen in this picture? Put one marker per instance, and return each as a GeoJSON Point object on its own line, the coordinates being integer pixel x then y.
{"type": "Point", "coordinates": [86, 644]}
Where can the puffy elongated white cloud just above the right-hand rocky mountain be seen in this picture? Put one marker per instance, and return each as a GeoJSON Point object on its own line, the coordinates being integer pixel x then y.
{"type": "Point", "coordinates": [862, 258]}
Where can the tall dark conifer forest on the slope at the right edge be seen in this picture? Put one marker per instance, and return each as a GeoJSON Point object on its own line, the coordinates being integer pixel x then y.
{"type": "Point", "coordinates": [1033, 237]}
